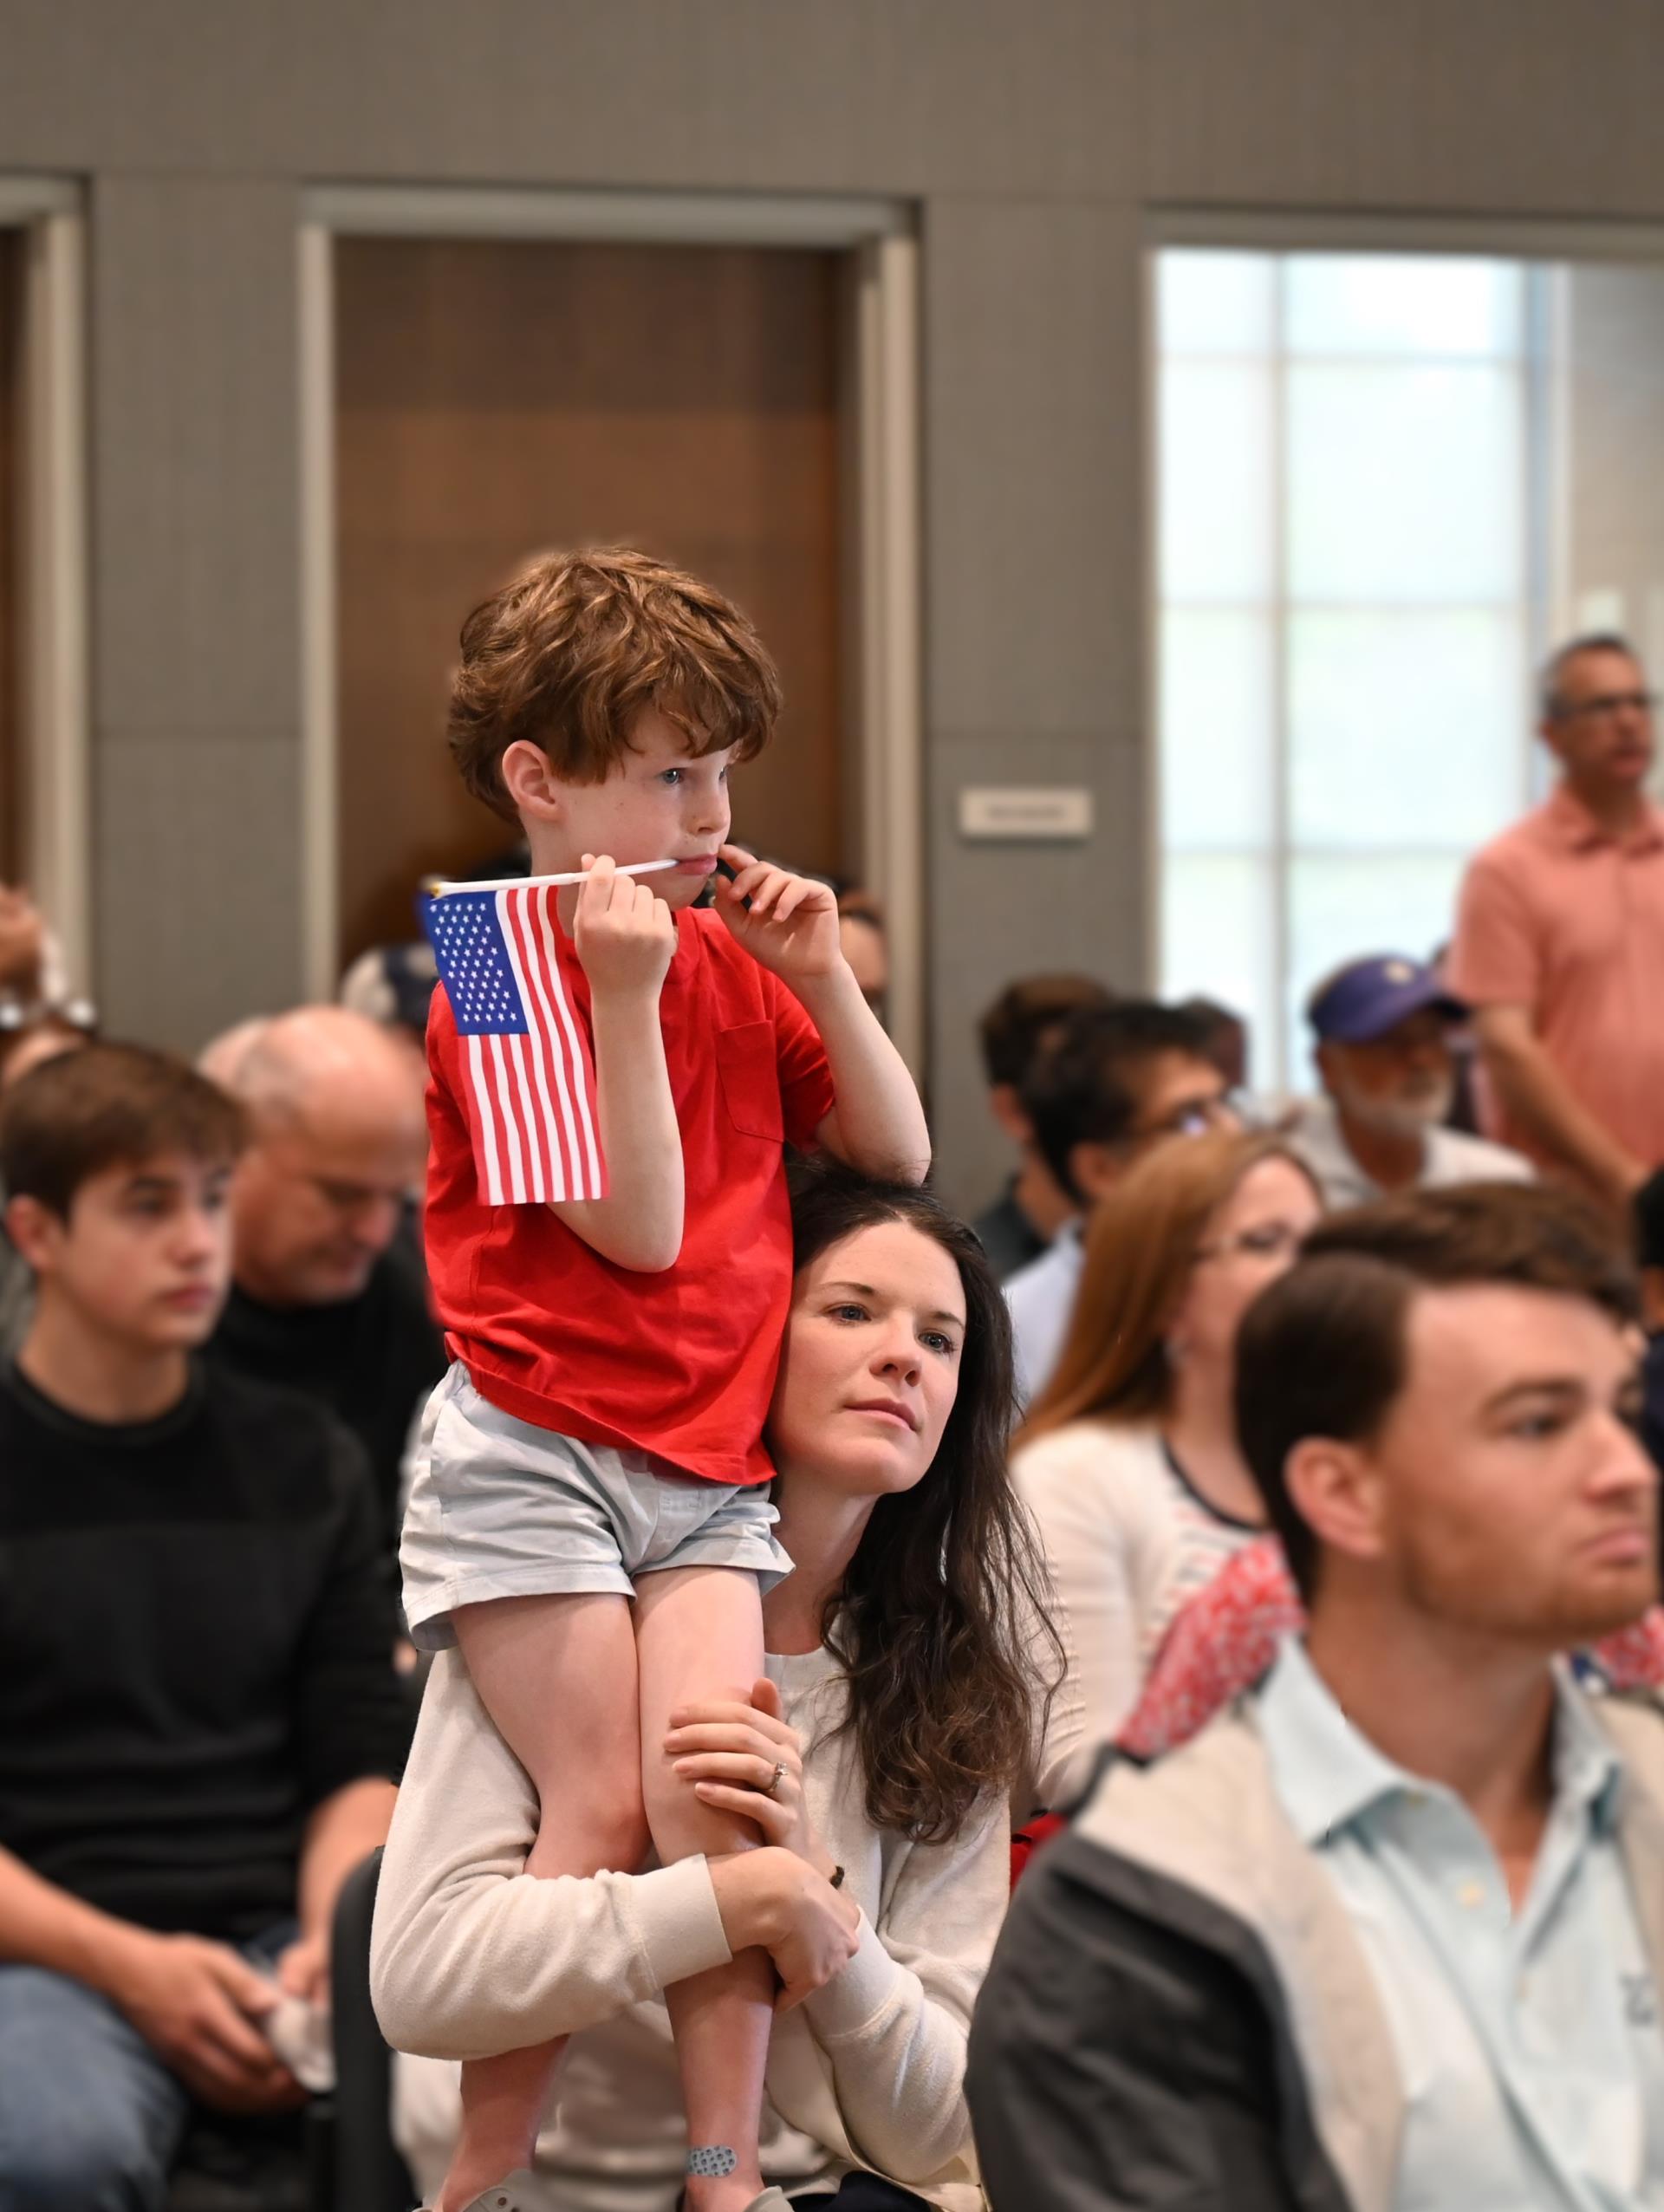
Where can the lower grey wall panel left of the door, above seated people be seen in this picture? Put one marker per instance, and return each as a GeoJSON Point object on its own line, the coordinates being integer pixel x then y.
{"type": "Point", "coordinates": [198, 881]}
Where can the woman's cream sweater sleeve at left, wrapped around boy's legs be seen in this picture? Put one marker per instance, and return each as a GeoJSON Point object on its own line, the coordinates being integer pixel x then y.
{"type": "Point", "coordinates": [470, 1954]}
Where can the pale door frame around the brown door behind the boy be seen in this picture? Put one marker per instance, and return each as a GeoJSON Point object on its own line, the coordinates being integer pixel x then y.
{"type": "Point", "coordinates": [886, 528]}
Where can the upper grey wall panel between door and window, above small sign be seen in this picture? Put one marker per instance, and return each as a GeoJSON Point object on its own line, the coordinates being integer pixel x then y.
{"type": "Point", "coordinates": [1032, 530]}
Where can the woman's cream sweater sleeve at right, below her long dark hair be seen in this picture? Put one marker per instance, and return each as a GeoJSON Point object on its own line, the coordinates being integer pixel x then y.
{"type": "Point", "coordinates": [895, 2023]}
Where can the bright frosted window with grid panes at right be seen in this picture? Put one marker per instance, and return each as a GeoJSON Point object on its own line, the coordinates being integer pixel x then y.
{"type": "Point", "coordinates": [1351, 596]}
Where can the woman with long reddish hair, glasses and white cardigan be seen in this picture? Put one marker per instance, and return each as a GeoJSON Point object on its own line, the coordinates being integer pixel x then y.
{"type": "Point", "coordinates": [1130, 1459]}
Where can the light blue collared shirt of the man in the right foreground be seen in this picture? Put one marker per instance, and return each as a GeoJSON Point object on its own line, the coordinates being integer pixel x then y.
{"type": "Point", "coordinates": [1526, 2032]}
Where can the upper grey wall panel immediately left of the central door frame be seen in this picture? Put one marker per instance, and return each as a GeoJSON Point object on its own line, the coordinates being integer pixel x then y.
{"type": "Point", "coordinates": [196, 550]}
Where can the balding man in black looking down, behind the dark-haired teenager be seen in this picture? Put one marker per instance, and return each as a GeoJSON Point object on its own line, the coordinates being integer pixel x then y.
{"type": "Point", "coordinates": [329, 1291]}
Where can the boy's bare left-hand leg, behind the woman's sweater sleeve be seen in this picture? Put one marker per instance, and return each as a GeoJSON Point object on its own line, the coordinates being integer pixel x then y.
{"type": "Point", "coordinates": [559, 1680]}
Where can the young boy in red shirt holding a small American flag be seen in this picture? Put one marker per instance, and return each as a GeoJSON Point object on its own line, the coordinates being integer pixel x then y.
{"type": "Point", "coordinates": [610, 1246]}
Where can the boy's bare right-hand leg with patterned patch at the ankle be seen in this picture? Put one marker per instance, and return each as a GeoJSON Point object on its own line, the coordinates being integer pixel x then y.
{"type": "Point", "coordinates": [700, 1634]}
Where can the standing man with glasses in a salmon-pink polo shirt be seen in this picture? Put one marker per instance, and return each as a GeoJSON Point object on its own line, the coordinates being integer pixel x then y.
{"type": "Point", "coordinates": [1561, 939]}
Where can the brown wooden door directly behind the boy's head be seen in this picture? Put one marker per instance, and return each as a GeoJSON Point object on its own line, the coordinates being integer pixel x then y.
{"type": "Point", "coordinates": [499, 399]}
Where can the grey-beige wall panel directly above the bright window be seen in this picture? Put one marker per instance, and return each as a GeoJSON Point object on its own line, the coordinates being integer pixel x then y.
{"type": "Point", "coordinates": [1528, 107]}
